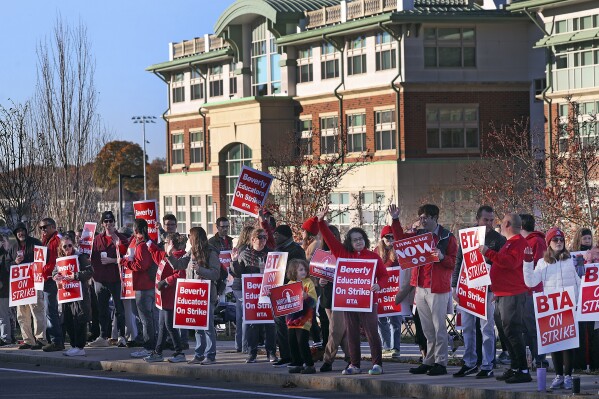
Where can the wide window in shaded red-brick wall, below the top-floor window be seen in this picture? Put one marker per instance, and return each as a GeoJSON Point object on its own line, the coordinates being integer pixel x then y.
{"type": "Point", "coordinates": [452, 127]}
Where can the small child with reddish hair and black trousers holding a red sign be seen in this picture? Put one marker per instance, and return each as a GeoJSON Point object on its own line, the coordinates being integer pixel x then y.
{"type": "Point", "coordinates": [300, 323]}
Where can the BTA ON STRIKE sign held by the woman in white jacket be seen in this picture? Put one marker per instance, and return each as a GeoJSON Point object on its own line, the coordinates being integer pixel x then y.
{"type": "Point", "coordinates": [557, 329]}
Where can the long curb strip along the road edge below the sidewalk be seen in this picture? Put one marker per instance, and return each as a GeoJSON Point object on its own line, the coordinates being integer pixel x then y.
{"type": "Point", "coordinates": [362, 384]}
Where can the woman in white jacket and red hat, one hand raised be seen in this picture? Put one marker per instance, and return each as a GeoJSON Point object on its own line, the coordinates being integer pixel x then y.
{"type": "Point", "coordinates": [556, 271]}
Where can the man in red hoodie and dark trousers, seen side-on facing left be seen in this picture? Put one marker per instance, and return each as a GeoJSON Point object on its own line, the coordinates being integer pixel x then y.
{"type": "Point", "coordinates": [507, 283]}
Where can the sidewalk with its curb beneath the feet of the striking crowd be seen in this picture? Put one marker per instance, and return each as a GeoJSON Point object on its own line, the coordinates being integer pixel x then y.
{"type": "Point", "coordinates": [231, 366]}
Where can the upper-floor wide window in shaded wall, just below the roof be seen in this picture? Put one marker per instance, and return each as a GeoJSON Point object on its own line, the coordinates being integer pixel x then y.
{"type": "Point", "coordinates": [449, 48]}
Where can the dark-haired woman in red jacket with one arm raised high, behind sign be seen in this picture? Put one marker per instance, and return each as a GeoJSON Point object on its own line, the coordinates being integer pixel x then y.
{"type": "Point", "coordinates": [355, 245]}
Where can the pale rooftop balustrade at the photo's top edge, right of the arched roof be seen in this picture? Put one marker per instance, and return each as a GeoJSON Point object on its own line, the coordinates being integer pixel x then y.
{"type": "Point", "coordinates": [354, 9]}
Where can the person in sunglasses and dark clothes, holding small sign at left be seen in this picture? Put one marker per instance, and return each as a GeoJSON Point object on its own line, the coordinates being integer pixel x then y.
{"type": "Point", "coordinates": [76, 314]}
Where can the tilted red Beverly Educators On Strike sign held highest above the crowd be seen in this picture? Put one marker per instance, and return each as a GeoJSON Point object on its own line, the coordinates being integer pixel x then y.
{"type": "Point", "coordinates": [251, 191]}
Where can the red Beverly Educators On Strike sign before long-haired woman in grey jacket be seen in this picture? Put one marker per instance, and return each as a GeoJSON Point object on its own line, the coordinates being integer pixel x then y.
{"type": "Point", "coordinates": [192, 304]}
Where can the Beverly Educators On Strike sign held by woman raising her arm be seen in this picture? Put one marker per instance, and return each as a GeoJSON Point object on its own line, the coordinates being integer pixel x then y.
{"type": "Point", "coordinates": [352, 285]}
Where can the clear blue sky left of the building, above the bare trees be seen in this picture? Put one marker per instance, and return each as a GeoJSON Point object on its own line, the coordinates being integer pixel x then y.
{"type": "Point", "coordinates": [126, 37]}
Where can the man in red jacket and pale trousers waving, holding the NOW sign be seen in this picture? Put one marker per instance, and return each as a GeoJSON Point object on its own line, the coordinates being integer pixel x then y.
{"type": "Point", "coordinates": [433, 286]}
